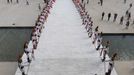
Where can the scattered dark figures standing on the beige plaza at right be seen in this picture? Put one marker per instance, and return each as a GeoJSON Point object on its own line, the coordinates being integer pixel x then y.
{"type": "Point", "coordinates": [125, 19]}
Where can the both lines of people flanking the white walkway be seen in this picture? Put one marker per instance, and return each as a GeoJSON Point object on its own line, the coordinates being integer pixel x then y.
{"type": "Point", "coordinates": [30, 47]}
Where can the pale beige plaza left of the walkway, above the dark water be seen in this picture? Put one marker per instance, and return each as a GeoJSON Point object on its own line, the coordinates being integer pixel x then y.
{"type": "Point", "coordinates": [19, 15]}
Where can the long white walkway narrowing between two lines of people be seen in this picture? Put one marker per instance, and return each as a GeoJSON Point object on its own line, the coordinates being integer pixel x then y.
{"type": "Point", "coordinates": [64, 47]}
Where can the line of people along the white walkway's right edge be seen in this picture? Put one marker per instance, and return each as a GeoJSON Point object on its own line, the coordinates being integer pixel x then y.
{"type": "Point", "coordinates": [95, 35]}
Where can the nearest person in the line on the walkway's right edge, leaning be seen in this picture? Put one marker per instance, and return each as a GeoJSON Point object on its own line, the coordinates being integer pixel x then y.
{"type": "Point", "coordinates": [111, 64]}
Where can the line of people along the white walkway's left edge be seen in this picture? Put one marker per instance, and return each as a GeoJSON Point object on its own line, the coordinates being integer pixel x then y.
{"type": "Point", "coordinates": [31, 46]}
